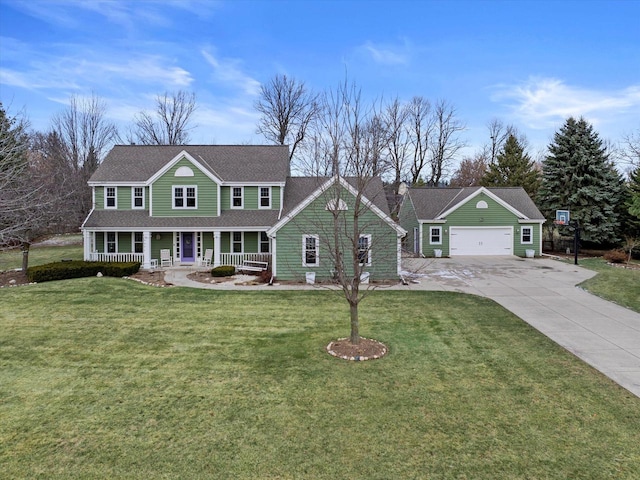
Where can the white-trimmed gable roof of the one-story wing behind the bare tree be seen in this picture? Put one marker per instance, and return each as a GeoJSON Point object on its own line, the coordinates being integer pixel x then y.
{"type": "Point", "coordinates": [301, 191]}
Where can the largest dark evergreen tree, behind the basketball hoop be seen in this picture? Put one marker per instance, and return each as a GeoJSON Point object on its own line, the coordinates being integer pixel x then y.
{"type": "Point", "coordinates": [578, 176]}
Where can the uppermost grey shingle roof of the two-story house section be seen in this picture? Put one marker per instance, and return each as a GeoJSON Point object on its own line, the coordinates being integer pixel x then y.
{"type": "Point", "coordinates": [230, 163]}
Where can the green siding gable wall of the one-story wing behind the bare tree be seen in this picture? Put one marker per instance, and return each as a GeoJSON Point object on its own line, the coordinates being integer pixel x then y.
{"type": "Point", "coordinates": [316, 220]}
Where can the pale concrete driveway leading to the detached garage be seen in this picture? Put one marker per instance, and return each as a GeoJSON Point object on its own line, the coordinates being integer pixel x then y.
{"type": "Point", "coordinates": [543, 293]}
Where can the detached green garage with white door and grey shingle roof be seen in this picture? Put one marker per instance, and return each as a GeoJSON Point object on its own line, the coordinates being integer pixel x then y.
{"type": "Point", "coordinates": [471, 221]}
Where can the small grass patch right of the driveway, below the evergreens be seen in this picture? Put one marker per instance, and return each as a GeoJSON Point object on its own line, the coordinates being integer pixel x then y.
{"type": "Point", "coordinates": [619, 285]}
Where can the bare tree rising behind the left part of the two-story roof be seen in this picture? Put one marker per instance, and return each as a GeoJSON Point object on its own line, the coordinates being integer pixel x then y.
{"type": "Point", "coordinates": [168, 124]}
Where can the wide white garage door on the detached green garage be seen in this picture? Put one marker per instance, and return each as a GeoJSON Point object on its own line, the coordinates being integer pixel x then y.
{"type": "Point", "coordinates": [481, 241]}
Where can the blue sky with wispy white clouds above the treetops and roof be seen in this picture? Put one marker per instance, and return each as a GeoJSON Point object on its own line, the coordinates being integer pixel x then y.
{"type": "Point", "coordinates": [531, 64]}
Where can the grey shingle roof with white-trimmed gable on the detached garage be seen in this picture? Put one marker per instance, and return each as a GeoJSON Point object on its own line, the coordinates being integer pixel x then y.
{"type": "Point", "coordinates": [436, 203]}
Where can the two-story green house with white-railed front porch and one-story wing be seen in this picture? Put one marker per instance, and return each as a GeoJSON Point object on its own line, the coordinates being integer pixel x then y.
{"type": "Point", "coordinates": [226, 202]}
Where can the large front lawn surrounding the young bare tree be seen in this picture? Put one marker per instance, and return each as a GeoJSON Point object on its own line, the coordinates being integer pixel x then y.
{"type": "Point", "coordinates": [107, 378]}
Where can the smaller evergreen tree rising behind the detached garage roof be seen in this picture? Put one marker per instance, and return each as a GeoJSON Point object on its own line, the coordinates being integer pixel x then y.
{"type": "Point", "coordinates": [513, 168]}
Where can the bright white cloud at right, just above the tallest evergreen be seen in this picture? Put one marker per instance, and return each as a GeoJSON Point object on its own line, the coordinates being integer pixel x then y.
{"type": "Point", "coordinates": [541, 103]}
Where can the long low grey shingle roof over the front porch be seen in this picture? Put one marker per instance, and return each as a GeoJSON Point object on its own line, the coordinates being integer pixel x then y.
{"type": "Point", "coordinates": [140, 219]}
